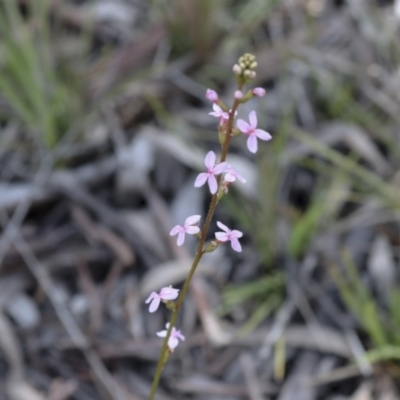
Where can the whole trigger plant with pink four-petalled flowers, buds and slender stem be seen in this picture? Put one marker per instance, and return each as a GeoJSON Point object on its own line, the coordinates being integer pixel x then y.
{"type": "Point", "coordinates": [218, 175]}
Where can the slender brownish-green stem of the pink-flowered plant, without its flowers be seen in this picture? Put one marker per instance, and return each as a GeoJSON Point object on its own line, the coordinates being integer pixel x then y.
{"type": "Point", "coordinates": [197, 258]}
